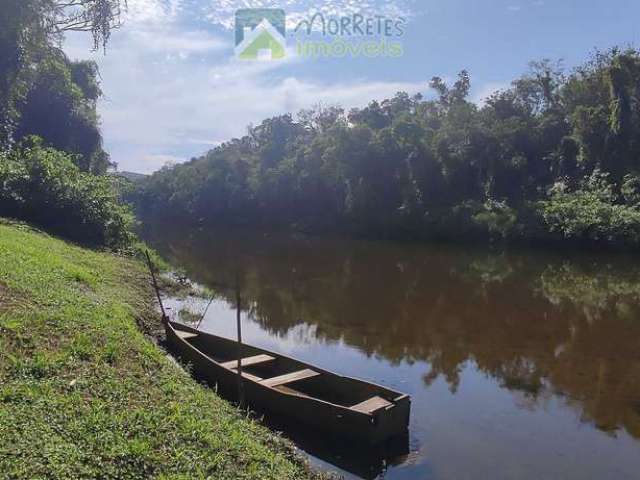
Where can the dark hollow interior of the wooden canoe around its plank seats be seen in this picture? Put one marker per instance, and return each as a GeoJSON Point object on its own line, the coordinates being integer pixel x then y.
{"type": "Point", "coordinates": [326, 386]}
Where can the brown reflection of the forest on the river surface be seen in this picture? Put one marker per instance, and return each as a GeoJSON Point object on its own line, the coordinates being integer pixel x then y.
{"type": "Point", "coordinates": [537, 324]}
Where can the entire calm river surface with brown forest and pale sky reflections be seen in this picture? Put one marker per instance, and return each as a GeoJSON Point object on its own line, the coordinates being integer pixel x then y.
{"type": "Point", "coordinates": [520, 365]}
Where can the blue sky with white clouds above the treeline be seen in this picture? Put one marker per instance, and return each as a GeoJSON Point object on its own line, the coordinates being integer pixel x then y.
{"type": "Point", "coordinates": [173, 88]}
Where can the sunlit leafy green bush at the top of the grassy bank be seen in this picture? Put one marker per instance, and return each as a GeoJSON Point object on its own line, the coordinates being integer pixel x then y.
{"type": "Point", "coordinates": [44, 186]}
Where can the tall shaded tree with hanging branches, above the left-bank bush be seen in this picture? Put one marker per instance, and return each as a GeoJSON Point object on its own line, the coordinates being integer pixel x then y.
{"type": "Point", "coordinates": [41, 91]}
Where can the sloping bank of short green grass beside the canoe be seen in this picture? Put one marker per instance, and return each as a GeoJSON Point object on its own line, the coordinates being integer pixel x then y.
{"type": "Point", "coordinates": [83, 393]}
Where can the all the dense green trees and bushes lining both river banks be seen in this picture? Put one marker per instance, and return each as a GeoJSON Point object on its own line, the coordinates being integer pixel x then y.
{"type": "Point", "coordinates": [553, 158]}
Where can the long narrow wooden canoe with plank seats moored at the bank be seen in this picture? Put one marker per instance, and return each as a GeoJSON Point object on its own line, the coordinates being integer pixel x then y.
{"type": "Point", "coordinates": [274, 383]}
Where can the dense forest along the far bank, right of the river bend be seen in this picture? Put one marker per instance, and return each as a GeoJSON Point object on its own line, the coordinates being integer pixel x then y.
{"type": "Point", "coordinates": [552, 158]}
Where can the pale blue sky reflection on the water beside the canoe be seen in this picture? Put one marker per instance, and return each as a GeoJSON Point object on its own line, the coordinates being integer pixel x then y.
{"type": "Point", "coordinates": [482, 427]}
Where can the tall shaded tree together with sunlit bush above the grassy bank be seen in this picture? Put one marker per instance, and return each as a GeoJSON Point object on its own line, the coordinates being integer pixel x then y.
{"type": "Point", "coordinates": [52, 163]}
